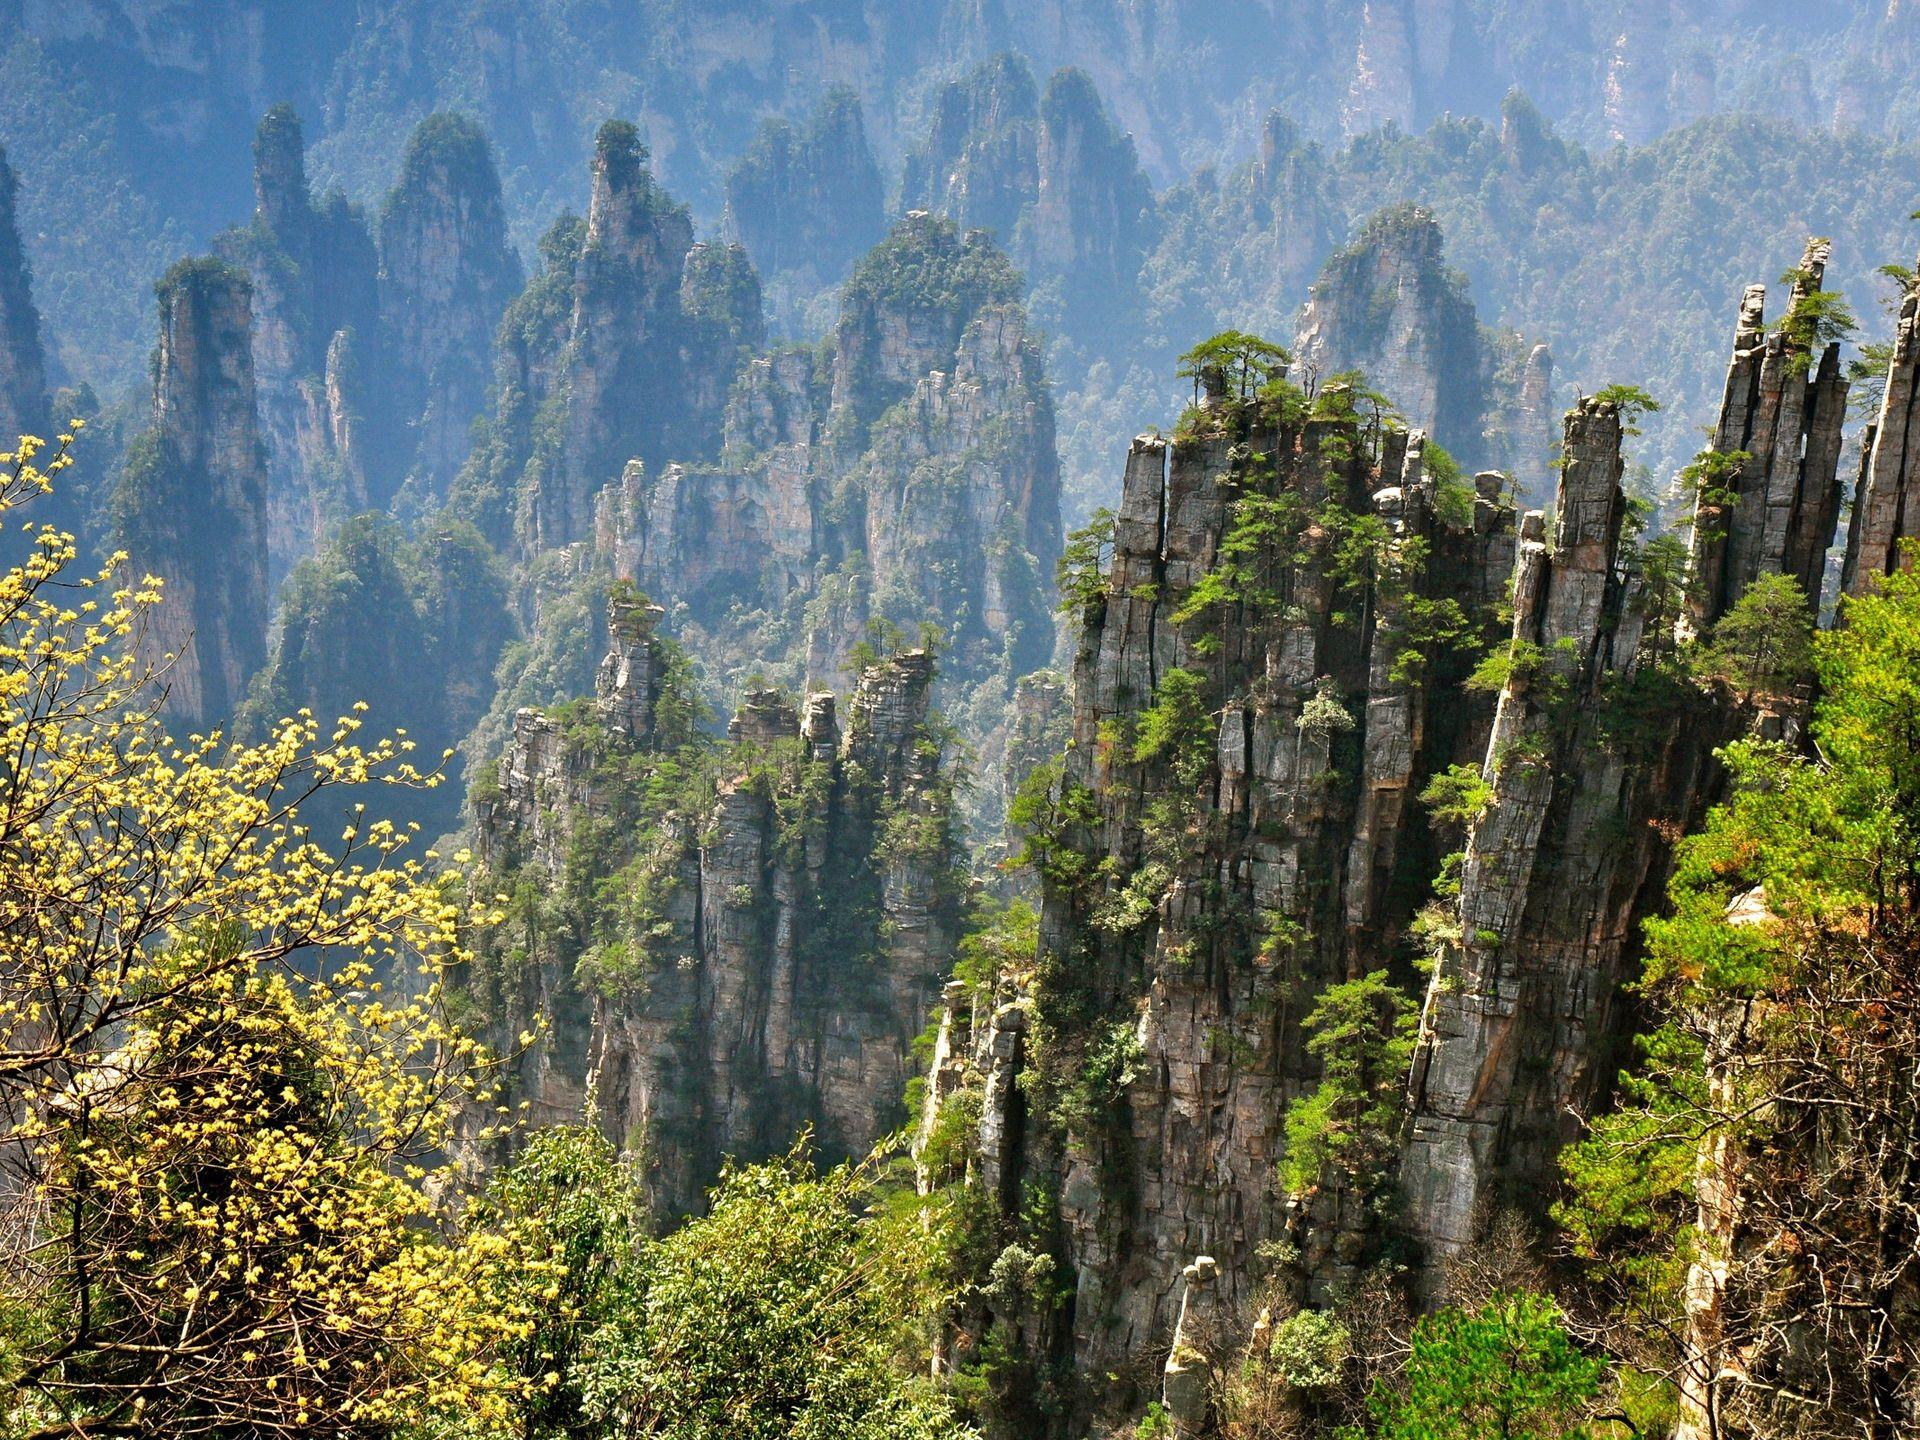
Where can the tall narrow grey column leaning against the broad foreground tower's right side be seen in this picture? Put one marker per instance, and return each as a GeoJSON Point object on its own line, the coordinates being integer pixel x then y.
{"type": "Point", "coordinates": [1520, 1007]}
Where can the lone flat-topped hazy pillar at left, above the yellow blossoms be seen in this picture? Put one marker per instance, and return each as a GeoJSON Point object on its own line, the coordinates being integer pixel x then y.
{"type": "Point", "coordinates": [193, 500]}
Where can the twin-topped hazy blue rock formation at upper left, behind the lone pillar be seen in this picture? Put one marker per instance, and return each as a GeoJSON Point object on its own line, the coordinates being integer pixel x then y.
{"type": "Point", "coordinates": [370, 339]}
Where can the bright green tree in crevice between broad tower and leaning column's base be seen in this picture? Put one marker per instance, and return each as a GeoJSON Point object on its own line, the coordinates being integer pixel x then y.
{"type": "Point", "coordinates": [1349, 1126]}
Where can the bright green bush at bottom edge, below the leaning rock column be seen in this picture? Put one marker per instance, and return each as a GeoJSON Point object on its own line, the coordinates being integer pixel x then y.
{"type": "Point", "coordinates": [1506, 1372]}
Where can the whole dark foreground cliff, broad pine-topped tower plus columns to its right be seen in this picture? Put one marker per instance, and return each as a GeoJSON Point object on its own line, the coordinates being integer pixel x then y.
{"type": "Point", "coordinates": [1324, 759]}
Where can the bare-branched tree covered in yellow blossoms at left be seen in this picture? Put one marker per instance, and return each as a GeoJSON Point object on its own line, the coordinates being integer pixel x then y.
{"type": "Point", "coordinates": [222, 1055]}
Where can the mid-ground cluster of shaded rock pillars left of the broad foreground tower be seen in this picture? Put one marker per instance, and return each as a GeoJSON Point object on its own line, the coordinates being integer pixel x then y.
{"type": "Point", "coordinates": [763, 944]}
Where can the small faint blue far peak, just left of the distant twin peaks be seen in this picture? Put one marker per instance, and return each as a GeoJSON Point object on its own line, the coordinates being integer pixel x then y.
{"type": "Point", "coordinates": [809, 199]}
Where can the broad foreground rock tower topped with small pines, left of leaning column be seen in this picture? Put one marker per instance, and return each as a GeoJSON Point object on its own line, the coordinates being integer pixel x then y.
{"type": "Point", "coordinates": [1232, 832]}
